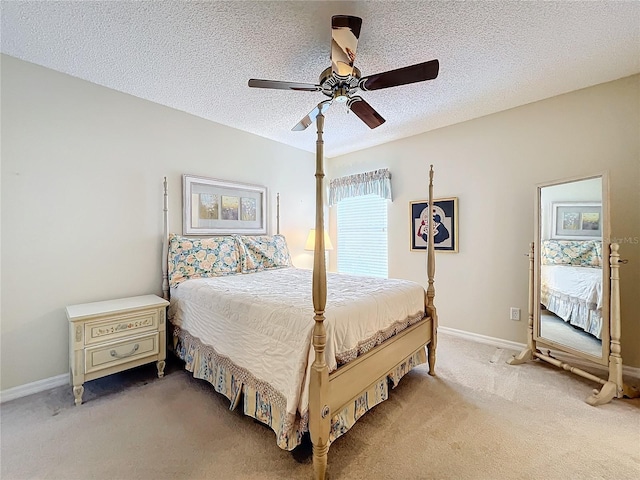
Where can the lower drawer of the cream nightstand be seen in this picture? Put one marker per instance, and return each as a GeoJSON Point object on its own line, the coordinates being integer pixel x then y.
{"type": "Point", "coordinates": [117, 353]}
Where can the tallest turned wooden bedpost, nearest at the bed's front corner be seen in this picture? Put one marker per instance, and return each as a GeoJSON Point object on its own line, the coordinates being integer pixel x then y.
{"type": "Point", "coordinates": [319, 414]}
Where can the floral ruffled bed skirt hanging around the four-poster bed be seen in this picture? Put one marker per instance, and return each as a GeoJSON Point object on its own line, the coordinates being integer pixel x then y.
{"type": "Point", "coordinates": [265, 404]}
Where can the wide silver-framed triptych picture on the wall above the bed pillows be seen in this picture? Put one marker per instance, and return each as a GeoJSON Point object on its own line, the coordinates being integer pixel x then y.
{"type": "Point", "coordinates": [219, 207]}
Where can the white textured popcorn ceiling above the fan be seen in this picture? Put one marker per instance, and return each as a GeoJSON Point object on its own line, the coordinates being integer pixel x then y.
{"type": "Point", "coordinates": [197, 57]}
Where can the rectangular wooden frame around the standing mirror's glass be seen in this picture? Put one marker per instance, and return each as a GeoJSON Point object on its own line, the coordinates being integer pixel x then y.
{"type": "Point", "coordinates": [606, 283]}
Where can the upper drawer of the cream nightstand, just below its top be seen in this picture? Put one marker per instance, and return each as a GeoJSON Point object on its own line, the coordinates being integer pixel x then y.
{"type": "Point", "coordinates": [123, 325]}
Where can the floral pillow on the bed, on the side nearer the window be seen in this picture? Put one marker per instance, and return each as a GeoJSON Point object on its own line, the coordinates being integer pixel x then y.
{"type": "Point", "coordinates": [264, 251]}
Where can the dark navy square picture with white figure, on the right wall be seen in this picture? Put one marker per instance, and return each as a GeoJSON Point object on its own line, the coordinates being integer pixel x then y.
{"type": "Point", "coordinates": [445, 224]}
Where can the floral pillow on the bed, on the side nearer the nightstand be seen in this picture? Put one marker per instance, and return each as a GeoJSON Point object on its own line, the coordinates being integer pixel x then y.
{"type": "Point", "coordinates": [201, 257]}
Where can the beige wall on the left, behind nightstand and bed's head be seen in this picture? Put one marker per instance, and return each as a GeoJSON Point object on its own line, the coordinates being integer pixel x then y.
{"type": "Point", "coordinates": [82, 170]}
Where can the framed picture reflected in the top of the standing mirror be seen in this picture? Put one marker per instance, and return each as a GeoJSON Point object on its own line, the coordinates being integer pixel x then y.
{"type": "Point", "coordinates": [576, 220]}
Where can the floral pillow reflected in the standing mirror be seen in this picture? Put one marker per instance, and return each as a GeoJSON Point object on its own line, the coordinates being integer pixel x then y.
{"type": "Point", "coordinates": [578, 253]}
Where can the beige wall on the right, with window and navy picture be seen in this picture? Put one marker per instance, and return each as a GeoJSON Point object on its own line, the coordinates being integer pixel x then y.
{"type": "Point", "coordinates": [492, 164]}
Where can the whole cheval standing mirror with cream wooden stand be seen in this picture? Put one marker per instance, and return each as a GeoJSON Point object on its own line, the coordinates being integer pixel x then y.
{"type": "Point", "coordinates": [573, 282]}
